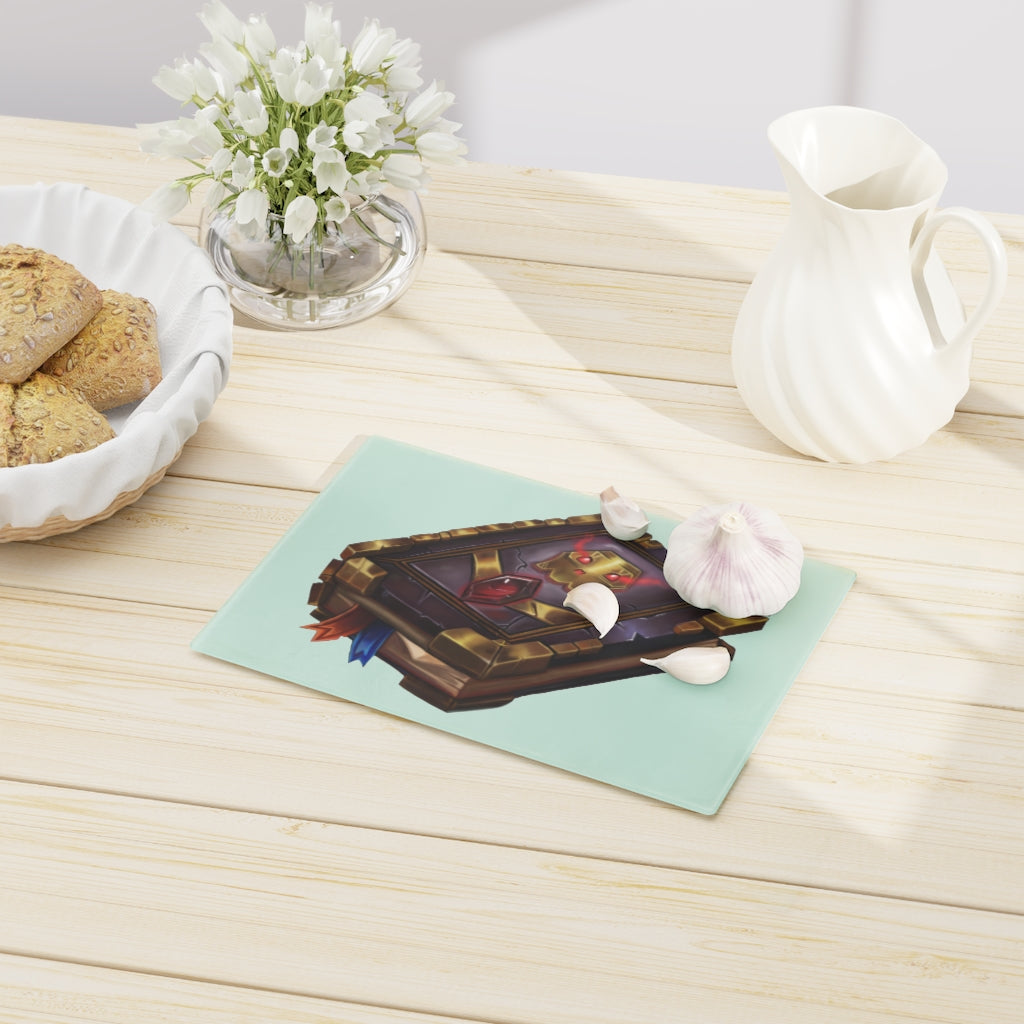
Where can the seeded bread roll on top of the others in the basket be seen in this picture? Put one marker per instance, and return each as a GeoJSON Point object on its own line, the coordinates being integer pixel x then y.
{"type": "Point", "coordinates": [45, 303]}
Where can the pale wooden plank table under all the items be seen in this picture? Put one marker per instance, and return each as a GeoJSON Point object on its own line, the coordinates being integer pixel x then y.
{"type": "Point", "coordinates": [184, 840]}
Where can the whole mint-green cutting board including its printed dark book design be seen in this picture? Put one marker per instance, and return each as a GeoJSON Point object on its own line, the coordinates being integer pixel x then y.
{"type": "Point", "coordinates": [470, 619]}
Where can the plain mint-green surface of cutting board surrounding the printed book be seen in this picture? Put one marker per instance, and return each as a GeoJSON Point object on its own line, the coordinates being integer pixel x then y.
{"type": "Point", "coordinates": [651, 735]}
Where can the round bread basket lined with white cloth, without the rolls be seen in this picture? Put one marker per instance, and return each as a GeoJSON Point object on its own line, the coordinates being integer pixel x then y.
{"type": "Point", "coordinates": [119, 246]}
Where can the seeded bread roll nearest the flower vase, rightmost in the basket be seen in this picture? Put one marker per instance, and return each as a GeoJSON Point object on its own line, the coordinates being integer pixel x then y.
{"type": "Point", "coordinates": [115, 359]}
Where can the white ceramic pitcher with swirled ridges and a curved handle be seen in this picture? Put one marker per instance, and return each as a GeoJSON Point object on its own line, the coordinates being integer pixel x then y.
{"type": "Point", "coordinates": [851, 345]}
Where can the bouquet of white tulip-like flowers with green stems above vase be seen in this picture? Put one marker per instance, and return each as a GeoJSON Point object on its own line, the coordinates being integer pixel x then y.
{"type": "Point", "coordinates": [307, 133]}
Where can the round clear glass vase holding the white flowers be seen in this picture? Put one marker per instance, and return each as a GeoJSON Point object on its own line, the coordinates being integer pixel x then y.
{"type": "Point", "coordinates": [354, 271]}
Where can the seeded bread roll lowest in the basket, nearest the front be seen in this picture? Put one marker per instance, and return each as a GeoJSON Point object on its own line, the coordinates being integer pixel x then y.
{"type": "Point", "coordinates": [46, 421]}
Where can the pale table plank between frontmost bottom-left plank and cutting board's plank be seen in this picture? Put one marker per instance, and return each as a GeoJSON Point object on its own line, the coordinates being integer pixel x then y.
{"type": "Point", "coordinates": [349, 914]}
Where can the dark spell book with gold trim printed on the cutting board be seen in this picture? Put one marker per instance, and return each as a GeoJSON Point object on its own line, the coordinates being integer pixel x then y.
{"type": "Point", "coordinates": [475, 618]}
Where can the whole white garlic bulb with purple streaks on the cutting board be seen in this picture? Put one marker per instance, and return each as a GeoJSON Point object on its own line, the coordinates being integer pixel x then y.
{"type": "Point", "coordinates": [737, 560]}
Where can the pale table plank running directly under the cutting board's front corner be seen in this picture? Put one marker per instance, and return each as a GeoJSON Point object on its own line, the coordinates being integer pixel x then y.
{"type": "Point", "coordinates": [198, 731]}
